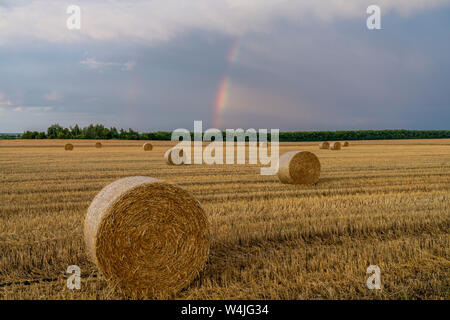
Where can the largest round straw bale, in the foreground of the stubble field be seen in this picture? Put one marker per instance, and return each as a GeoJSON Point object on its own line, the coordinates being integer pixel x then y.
{"type": "Point", "coordinates": [149, 239]}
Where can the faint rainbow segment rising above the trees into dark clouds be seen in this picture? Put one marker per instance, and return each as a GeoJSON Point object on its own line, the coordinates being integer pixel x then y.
{"type": "Point", "coordinates": [224, 86]}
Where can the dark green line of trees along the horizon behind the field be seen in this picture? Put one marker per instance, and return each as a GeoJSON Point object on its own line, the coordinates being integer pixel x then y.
{"type": "Point", "coordinates": [101, 132]}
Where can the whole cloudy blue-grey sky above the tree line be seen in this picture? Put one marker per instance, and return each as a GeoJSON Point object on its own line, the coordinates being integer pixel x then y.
{"type": "Point", "coordinates": [287, 64]}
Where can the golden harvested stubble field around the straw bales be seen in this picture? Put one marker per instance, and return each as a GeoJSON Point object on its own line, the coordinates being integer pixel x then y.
{"type": "Point", "coordinates": [377, 203]}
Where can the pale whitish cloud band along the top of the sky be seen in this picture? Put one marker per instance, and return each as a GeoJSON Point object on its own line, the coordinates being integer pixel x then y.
{"type": "Point", "coordinates": [155, 22]}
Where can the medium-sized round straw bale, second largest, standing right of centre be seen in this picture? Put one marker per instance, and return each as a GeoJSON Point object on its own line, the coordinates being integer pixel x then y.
{"type": "Point", "coordinates": [299, 167]}
